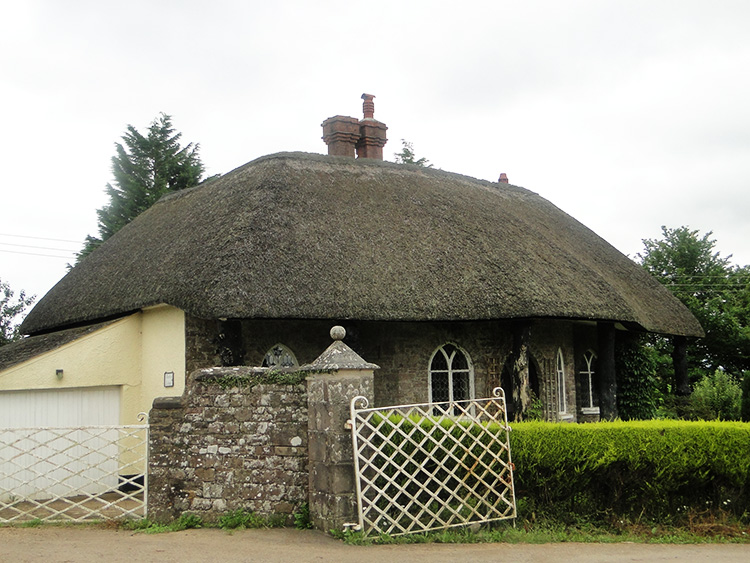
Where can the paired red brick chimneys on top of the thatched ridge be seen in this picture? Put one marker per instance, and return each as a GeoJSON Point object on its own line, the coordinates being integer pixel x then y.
{"type": "Point", "coordinates": [344, 135]}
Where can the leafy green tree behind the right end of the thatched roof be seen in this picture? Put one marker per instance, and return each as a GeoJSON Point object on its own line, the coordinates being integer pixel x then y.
{"type": "Point", "coordinates": [716, 292]}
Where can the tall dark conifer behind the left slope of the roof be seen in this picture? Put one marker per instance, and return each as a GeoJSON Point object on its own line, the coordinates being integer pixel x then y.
{"type": "Point", "coordinates": [145, 168]}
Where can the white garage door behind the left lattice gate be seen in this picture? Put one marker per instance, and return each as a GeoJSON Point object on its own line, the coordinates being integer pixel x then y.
{"type": "Point", "coordinates": [42, 463]}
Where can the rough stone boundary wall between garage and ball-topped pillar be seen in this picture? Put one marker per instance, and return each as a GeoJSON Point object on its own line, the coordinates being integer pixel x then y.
{"type": "Point", "coordinates": [224, 447]}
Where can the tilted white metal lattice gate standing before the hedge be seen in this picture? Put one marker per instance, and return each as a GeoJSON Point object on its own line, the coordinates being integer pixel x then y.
{"type": "Point", "coordinates": [432, 466]}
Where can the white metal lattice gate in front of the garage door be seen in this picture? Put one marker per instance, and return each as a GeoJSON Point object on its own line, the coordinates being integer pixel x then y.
{"type": "Point", "coordinates": [73, 474]}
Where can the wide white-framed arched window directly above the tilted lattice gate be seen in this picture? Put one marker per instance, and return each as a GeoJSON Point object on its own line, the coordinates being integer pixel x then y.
{"type": "Point", "coordinates": [451, 375]}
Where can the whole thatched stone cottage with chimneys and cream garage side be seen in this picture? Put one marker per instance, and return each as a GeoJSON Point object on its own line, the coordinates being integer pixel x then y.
{"type": "Point", "coordinates": [452, 285]}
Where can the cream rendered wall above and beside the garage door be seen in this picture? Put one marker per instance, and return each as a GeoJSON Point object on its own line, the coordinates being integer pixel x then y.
{"type": "Point", "coordinates": [132, 353]}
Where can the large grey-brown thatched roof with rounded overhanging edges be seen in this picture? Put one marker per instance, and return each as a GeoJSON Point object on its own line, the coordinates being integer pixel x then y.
{"type": "Point", "coordinates": [303, 236]}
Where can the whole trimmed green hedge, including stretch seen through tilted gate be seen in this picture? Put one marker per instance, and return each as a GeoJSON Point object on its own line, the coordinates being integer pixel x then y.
{"type": "Point", "coordinates": [657, 470]}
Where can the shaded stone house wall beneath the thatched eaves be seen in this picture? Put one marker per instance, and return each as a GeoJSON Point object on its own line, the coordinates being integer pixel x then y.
{"type": "Point", "coordinates": [403, 350]}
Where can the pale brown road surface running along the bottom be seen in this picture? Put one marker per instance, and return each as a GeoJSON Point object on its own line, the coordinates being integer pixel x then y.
{"type": "Point", "coordinates": [61, 544]}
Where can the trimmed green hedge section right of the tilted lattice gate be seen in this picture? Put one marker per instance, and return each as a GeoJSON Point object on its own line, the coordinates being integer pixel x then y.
{"type": "Point", "coordinates": [657, 470]}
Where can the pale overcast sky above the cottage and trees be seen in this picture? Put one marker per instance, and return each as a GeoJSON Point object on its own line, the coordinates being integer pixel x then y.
{"type": "Point", "coordinates": [628, 115]}
